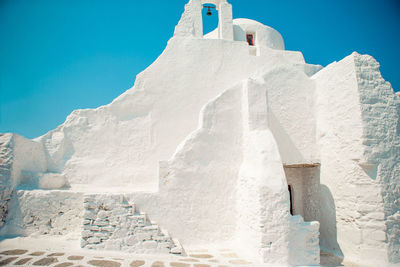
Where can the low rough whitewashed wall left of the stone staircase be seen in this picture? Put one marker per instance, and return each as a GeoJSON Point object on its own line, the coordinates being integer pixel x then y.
{"type": "Point", "coordinates": [39, 212]}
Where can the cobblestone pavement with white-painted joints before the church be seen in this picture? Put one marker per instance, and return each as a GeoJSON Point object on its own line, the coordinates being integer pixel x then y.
{"type": "Point", "coordinates": [194, 258]}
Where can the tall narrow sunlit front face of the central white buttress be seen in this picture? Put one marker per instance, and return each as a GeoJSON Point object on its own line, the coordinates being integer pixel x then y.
{"type": "Point", "coordinates": [262, 190]}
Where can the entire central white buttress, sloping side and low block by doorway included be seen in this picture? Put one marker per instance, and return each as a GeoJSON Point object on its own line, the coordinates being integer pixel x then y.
{"type": "Point", "coordinates": [210, 194]}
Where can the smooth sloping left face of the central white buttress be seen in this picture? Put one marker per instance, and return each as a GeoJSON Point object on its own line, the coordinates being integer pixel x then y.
{"type": "Point", "coordinates": [196, 202]}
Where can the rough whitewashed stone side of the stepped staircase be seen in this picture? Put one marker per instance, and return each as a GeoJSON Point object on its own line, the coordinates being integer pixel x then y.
{"type": "Point", "coordinates": [110, 222]}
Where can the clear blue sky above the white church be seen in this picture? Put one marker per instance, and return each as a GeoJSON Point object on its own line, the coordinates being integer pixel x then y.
{"type": "Point", "coordinates": [61, 55]}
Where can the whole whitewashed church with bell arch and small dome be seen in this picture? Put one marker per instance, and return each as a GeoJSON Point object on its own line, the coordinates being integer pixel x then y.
{"type": "Point", "coordinates": [226, 140]}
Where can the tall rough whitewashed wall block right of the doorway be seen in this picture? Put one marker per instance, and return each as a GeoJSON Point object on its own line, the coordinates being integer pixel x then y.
{"type": "Point", "coordinates": [366, 174]}
